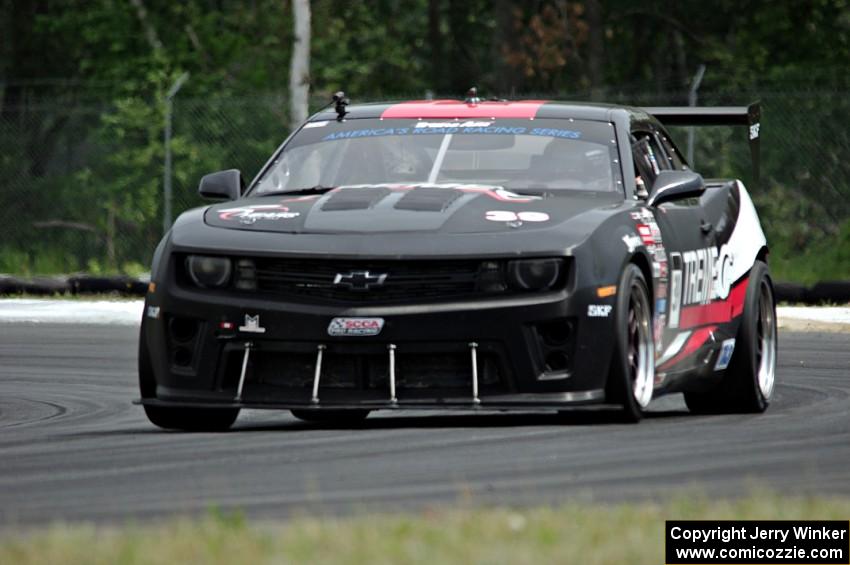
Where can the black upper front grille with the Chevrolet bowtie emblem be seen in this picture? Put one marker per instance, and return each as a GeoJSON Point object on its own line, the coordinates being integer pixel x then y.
{"type": "Point", "coordinates": [360, 281]}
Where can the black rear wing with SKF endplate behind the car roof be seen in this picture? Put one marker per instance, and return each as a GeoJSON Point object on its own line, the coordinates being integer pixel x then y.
{"type": "Point", "coordinates": [749, 116]}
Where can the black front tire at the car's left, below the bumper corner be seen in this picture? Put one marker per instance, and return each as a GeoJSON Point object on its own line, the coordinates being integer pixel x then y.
{"type": "Point", "coordinates": [175, 418]}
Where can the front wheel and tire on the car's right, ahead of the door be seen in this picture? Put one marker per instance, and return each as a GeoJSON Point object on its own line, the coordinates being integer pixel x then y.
{"type": "Point", "coordinates": [632, 374]}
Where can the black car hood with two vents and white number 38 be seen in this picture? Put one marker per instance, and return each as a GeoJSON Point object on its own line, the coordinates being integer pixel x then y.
{"type": "Point", "coordinates": [395, 208]}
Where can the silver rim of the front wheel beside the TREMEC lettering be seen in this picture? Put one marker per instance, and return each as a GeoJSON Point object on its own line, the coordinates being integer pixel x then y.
{"type": "Point", "coordinates": [640, 348]}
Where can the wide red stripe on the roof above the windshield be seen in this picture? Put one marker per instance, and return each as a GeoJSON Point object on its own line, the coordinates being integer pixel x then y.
{"type": "Point", "coordinates": [453, 109]}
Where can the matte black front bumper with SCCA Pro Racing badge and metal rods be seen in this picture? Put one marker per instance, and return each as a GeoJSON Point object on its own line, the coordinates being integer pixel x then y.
{"type": "Point", "coordinates": [508, 353]}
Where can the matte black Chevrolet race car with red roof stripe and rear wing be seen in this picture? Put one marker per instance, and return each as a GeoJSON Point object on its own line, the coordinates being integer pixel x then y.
{"type": "Point", "coordinates": [467, 255]}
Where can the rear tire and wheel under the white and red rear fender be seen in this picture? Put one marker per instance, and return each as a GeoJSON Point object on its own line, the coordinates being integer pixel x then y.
{"type": "Point", "coordinates": [747, 385]}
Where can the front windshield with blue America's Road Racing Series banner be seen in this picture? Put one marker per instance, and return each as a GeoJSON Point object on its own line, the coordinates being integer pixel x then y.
{"type": "Point", "coordinates": [553, 154]}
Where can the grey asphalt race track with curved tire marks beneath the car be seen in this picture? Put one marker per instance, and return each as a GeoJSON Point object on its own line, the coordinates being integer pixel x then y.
{"type": "Point", "coordinates": [72, 447]}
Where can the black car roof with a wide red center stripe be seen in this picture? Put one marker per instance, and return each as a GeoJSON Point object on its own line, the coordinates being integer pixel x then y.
{"type": "Point", "coordinates": [487, 109]}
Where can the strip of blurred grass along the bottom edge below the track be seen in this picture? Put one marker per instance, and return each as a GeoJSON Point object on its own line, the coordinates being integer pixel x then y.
{"type": "Point", "coordinates": [571, 533]}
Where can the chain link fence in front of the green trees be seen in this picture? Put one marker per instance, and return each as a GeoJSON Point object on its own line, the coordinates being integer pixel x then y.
{"type": "Point", "coordinates": [82, 184]}
